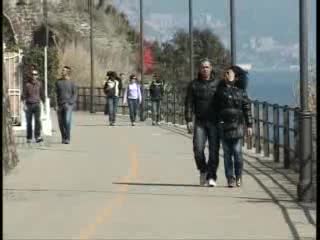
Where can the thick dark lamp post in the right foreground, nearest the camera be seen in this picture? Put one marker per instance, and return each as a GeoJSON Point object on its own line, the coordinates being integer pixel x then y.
{"type": "Point", "coordinates": [305, 186]}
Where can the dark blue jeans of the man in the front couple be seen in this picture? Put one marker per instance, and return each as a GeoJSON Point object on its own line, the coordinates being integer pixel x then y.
{"type": "Point", "coordinates": [203, 131]}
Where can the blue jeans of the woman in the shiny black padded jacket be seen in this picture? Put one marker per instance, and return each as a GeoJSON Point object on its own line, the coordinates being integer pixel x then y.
{"type": "Point", "coordinates": [233, 162]}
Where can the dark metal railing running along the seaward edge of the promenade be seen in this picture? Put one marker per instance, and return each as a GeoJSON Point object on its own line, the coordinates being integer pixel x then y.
{"type": "Point", "coordinates": [275, 127]}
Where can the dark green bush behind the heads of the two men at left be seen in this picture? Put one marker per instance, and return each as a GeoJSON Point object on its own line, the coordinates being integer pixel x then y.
{"type": "Point", "coordinates": [35, 56]}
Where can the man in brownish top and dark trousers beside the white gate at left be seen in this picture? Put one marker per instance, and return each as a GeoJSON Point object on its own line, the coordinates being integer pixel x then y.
{"type": "Point", "coordinates": [33, 93]}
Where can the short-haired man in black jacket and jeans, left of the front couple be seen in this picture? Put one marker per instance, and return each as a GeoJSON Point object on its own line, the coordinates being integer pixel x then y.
{"type": "Point", "coordinates": [199, 102]}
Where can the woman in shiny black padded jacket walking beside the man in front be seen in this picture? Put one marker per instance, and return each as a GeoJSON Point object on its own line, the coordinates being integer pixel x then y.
{"type": "Point", "coordinates": [234, 110]}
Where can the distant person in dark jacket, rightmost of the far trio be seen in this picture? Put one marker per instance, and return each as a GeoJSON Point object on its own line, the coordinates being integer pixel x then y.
{"type": "Point", "coordinates": [156, 92]}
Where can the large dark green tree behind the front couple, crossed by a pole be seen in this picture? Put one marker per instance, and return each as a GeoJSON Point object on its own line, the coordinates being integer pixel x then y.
{"type": "Point", "coordinates": [172, 57]}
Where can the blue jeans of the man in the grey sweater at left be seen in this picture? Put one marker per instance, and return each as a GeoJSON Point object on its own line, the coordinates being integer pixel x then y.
{"type": "Point", "coordinates": [64, 118]}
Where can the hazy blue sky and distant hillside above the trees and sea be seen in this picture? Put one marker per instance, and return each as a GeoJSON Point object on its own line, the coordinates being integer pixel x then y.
{"type": "Point", "coordinates": [270, 27]}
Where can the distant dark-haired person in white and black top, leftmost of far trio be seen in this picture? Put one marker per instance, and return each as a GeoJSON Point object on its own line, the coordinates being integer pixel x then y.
{"type": "Point", "coordinates": [111, 89]}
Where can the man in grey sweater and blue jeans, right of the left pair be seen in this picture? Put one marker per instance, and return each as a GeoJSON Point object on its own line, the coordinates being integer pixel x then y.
{"type": "Point", "coordinates": [66, 98]}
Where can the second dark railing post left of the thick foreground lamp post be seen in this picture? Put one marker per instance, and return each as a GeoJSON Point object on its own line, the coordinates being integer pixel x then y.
{"type": "Point", "coordinates": [286, 138]}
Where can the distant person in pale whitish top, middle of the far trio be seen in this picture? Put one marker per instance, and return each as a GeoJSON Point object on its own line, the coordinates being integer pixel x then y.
{"type": "Point", "coordinates": [132, 96]}
